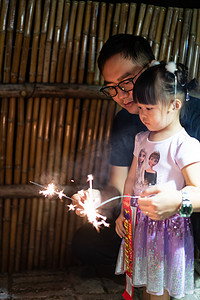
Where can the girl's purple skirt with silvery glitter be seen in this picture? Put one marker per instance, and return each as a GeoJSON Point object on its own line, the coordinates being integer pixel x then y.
{"type": "Point", "coordinates": [163, 255]}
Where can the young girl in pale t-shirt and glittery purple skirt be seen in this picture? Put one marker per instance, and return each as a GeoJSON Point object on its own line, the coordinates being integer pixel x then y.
{"type": "Point", "coordinates": [163, 250]}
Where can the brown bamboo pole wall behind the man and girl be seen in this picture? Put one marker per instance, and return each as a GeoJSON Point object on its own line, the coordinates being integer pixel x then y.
{"type": "Point", "coordinates": [59, 139]}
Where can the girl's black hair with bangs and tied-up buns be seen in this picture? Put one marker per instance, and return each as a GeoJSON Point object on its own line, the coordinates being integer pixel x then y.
{"type": "Point", "coordinates": [156, 84]}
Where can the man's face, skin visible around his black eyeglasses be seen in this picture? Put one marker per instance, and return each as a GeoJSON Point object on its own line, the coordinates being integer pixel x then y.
{"type": "Point", "coordinates": [117, 69]}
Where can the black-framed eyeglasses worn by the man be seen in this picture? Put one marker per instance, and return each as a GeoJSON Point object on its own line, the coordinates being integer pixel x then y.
{"type": "Point", "coordinates": [126, 85]}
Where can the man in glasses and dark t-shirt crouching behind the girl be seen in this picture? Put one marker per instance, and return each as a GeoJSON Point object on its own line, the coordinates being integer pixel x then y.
{"type": "Point", "coordinates": [121, 61]}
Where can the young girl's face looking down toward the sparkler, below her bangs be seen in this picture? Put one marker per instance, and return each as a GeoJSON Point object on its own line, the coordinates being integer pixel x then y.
{"type": "Point", "coordinates": [154, 117]}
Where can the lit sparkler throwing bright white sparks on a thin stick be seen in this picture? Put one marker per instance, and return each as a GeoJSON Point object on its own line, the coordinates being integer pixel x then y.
{"type": "Point", "coordinates": [88, 207]}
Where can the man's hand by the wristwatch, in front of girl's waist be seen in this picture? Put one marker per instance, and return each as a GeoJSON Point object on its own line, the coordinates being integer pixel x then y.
{"type": "Point", "coordinates": [159, 202]}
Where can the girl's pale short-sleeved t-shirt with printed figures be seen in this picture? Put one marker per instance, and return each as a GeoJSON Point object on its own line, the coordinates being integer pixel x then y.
{"type": "Point", "coordinates": [161, 161]}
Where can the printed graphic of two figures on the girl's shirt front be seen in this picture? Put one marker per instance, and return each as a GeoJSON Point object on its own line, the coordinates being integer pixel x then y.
{"type": "Point", "coordinates": [146, 174]}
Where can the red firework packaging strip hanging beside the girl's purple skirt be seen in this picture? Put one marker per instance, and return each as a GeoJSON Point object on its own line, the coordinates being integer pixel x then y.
{"type": "Point", "coordinates": [129, 221]}
